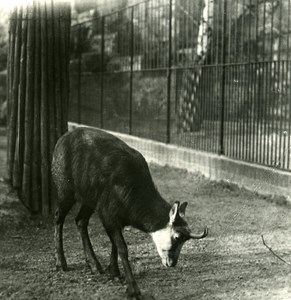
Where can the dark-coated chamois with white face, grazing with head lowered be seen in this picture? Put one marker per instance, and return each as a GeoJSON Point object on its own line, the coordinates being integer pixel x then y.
{"type": "Point", "coordinates": [103, 173]}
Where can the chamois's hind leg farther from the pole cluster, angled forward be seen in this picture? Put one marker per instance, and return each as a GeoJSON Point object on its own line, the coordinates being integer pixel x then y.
{"type": "Point", "coordinates": [82, 221]}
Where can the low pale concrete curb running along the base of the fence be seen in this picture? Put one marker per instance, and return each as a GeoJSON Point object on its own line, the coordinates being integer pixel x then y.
{"type": "Point", "coordinates": [257, 178]}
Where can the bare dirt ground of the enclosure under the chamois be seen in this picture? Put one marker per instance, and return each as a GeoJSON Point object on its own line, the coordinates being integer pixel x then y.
{"type": "Point", "coordinates": [231, 263]}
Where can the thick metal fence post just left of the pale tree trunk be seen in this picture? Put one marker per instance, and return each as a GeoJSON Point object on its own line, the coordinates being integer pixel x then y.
{"type": "Point", "coordinates": [169, 76]}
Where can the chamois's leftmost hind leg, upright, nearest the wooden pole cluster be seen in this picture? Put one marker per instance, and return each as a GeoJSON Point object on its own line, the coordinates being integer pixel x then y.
{"type": "Point", "coordinates": [60, 215]}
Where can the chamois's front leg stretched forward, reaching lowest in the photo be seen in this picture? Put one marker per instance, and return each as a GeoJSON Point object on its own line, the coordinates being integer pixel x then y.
{"type": "Point", "coordinates": [132, 288]}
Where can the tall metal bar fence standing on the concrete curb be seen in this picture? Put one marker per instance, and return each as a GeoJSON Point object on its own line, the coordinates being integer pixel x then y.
{"type": "Point", "coordinates": [209, 75]}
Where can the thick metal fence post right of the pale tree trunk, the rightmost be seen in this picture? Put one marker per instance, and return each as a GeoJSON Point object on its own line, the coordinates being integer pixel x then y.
{"type": "Point", "coordinates": [221, 140]}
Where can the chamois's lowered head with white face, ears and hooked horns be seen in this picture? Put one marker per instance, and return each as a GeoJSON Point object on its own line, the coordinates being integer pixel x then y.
{"type": "Point", "coordinates": [170, 239]}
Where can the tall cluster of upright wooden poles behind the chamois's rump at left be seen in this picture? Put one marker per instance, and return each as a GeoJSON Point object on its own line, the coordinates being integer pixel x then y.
{"type": "Point", "coordinates": [37, 97]}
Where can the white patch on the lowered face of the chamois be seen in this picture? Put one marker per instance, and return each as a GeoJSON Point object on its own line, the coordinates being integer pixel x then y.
{"type": "Point", "coordinates": [163, 240]}
